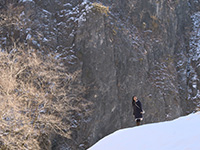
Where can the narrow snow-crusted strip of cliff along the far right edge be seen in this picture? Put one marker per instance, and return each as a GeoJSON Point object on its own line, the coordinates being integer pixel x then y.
{"type": "Point", "coordinates": [194, 55]}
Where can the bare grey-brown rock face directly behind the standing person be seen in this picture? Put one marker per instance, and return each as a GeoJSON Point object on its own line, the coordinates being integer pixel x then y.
{"type": "Point", "coordinates": [139, 49]}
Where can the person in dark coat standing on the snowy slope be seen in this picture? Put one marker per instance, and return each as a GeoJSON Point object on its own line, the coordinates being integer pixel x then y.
{"type": "Point", "coordinates": [137, 110]}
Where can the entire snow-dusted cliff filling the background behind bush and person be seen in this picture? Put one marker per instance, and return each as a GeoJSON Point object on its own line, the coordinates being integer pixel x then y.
{"type": "Point", "coordinates": [140, 47]}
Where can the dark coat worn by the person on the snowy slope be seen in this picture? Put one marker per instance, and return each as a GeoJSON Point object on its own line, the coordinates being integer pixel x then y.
{"type": "Point", "coordinates": [137, 109]}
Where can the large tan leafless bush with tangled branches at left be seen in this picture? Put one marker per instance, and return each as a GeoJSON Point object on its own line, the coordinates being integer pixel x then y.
{"type": "Point", "coordinates": [36, 93]}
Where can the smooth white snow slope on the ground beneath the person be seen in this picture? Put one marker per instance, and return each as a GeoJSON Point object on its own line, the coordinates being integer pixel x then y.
{"type": "Point", "coordinates": [180, 134]}
